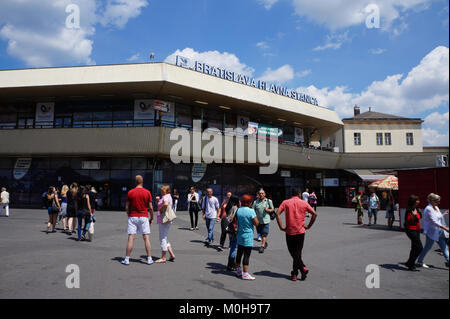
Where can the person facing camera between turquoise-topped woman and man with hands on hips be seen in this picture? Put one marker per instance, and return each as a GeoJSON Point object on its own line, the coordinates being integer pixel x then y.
{"type": "Point", "coordinates": [263, 208]}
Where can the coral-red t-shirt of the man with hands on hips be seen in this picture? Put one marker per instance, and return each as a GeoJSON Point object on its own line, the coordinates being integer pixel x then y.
{"type": "Point", "coordinates": [295, 210]}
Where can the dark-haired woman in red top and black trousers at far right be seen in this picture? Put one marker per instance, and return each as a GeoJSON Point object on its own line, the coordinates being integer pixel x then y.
{"type": "Point", "coordinates": [412, 229]}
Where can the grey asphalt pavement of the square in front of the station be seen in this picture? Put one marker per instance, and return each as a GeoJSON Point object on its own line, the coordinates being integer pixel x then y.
{"type": "Point", "coordinates": [337, 252]}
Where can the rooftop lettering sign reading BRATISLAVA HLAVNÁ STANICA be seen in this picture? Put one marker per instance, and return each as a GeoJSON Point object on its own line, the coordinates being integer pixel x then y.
{"type": "Point", "coordinates": [243, 79]}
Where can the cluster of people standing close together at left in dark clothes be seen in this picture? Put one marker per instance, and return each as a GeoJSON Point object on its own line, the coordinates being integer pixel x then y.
{"type": "Point", "coordinates": [74, 207]}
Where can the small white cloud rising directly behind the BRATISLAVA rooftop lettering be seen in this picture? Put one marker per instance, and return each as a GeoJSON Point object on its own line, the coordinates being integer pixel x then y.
{"type": "Point", "coordinates": [224, 60]}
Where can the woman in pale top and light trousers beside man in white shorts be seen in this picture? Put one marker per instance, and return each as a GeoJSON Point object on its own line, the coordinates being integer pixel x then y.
{"type": "Point", "coordinates": [164, 203]}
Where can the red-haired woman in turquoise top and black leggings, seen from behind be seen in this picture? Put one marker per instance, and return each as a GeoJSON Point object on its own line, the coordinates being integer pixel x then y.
{"type": "Point", "coordinates": [246, 218]}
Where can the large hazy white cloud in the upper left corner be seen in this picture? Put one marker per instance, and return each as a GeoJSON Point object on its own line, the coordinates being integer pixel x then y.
{"type": "Point", "coordinates": [36, 31]}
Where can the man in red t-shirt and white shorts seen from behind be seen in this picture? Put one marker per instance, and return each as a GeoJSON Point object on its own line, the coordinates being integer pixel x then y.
{"type": "Point", "coordinates": [139, 202]}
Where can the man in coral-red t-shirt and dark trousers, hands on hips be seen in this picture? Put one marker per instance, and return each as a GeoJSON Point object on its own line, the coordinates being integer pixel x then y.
{"type": "Point", "coordinates": [296, 209]}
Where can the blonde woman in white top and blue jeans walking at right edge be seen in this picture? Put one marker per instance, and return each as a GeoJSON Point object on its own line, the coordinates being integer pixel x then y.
{"type": "Point", "coordinates": [434, 228]}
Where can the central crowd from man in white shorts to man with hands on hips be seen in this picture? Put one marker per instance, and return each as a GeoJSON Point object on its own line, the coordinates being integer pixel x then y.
{"type": "Point", "coordinates": [237, 218]}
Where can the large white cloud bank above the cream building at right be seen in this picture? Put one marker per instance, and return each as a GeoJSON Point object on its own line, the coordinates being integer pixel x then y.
{"type": "Point", "coordinates": [424, 88]}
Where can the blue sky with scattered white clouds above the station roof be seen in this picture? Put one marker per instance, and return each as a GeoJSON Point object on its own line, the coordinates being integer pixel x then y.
{"type": "Point", "coordinates": [390, 55]}
